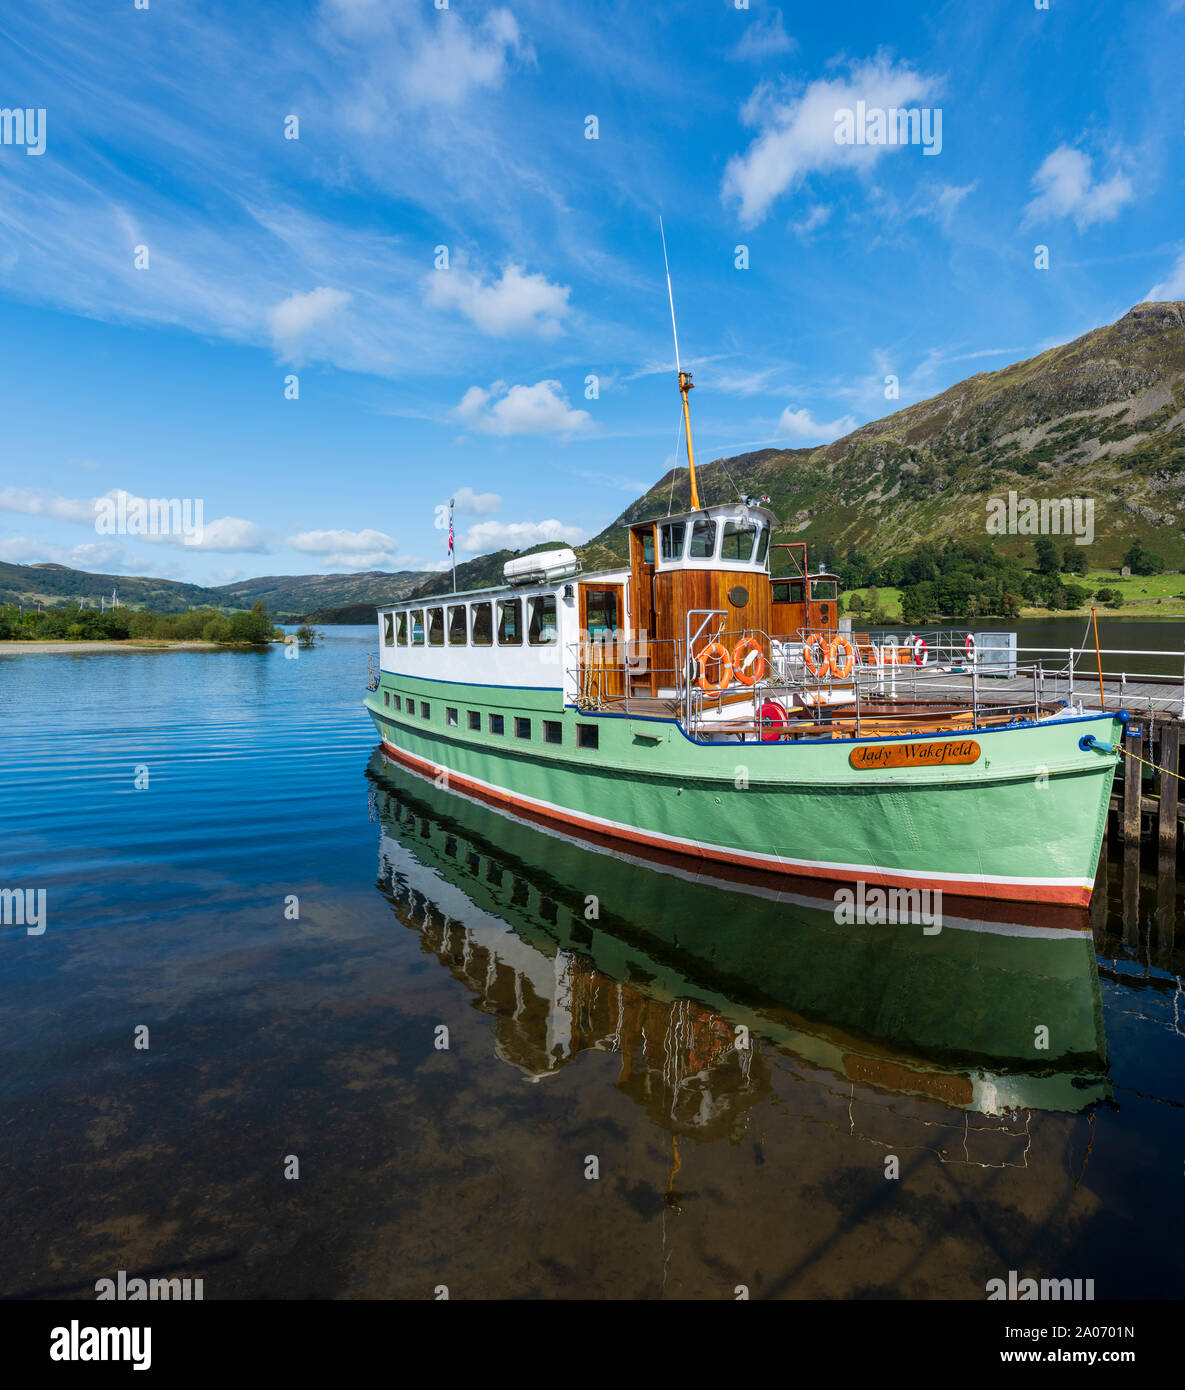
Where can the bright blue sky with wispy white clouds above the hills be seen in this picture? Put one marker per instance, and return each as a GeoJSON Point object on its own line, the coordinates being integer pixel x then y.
{"type": "Point", "coordinates": [467, 129]}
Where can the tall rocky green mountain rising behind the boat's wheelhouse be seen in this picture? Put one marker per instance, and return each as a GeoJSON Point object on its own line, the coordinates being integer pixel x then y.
{"type": "Point", "coordinates": [1101, 418]}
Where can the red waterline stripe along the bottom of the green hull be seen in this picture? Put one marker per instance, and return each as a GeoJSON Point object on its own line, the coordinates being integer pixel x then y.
{"type": "Point", "coordinates": [1075, 896]}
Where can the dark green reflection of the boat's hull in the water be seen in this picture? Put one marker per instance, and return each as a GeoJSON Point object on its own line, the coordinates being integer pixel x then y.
{"type": "Point", "coordinates": [956, 1017]}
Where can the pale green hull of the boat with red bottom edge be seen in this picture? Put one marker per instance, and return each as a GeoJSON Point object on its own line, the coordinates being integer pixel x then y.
{"type": "Point", "coordinates": [1025, 822]}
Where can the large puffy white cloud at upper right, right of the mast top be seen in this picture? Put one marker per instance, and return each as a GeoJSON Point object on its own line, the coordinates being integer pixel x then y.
{"type": "Point", "coordinates": [798, 131]}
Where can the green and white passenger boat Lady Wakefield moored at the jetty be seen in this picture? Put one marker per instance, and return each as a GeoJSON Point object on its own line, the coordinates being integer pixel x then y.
{"type": "Point", "coordinates": [691, 701]}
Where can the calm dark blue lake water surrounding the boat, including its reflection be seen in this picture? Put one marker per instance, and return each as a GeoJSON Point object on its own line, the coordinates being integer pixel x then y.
{"type": "Point", "coordinates": [569, 1038]}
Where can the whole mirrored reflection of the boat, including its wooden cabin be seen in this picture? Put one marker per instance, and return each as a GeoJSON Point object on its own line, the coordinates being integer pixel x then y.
{"type": "Point", "coordinates": [694, 981]}
